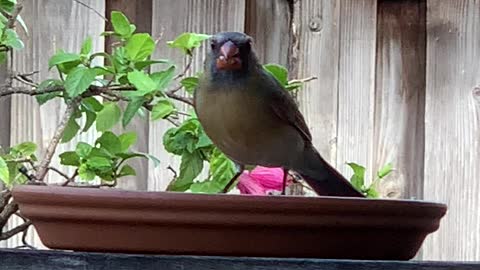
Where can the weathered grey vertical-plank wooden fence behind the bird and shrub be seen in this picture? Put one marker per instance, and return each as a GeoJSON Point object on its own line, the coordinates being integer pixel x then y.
{"type": "Point", "coordinates": [397, 83]}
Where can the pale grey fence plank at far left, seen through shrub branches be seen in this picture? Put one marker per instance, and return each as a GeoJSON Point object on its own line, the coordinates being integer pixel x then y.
{"type": "Point", "coordinates": [52, 25]}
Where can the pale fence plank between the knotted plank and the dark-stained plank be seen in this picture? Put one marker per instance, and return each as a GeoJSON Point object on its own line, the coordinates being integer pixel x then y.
{"type": "Point", "coordinates": [356, 83]}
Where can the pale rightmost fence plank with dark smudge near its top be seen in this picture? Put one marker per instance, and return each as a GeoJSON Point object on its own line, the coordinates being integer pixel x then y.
{"type": "Point", "coordinates": [452, 126]}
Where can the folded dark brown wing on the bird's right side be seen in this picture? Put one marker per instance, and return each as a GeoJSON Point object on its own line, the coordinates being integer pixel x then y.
{"type": "Point", "coordinates": [284, 106]}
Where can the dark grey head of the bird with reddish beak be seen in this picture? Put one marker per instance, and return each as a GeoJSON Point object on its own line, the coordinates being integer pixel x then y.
{"type": "Point", "coordinates": [231, 53]}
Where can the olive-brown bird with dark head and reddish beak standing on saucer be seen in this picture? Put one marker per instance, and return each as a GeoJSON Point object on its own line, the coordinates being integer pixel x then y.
{"type": "Point", "coordinates": [253, 120]}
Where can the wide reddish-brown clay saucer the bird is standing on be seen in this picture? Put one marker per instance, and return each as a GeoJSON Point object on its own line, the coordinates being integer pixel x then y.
{"type": "Point", "coordinates": [112, 220]}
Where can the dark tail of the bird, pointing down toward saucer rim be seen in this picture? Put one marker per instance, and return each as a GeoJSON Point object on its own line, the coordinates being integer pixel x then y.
{"type": "Point", "coordinates": [323, 178]}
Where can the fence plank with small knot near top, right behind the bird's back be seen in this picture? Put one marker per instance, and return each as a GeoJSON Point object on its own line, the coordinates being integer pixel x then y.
{"type": "Point", "coordinates": [315, 52]}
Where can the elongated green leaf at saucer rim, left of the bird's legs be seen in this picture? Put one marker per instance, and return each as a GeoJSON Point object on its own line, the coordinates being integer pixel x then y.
{"type": "Point", "coordinates": [190, 168]}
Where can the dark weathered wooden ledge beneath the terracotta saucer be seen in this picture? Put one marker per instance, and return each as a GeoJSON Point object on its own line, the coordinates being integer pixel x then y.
{"type": "Point", "coordinates": [53, 260]}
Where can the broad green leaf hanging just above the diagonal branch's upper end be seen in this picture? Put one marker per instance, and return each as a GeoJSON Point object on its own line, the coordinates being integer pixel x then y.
{"type": "Point", "coordinates": [78, 80]}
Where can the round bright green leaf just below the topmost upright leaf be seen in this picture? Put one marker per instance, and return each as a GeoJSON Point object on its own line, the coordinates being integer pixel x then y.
{"type": "Point", "coordinates": [139, 46]}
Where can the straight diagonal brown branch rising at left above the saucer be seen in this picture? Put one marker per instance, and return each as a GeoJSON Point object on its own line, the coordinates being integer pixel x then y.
{"type": "Point", "coordinates": [43, 168]}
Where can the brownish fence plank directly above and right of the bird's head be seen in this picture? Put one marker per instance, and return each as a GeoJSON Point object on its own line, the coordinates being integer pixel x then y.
{"type": "Point", "coordinates": [268, 22]}
